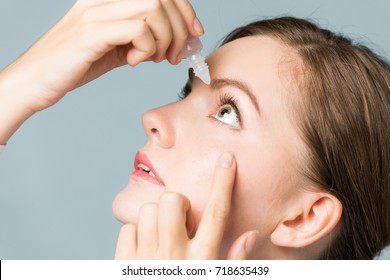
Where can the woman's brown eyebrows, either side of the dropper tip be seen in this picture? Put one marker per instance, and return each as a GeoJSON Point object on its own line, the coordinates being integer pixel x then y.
{"type": "Point", "coordinates": [225, 82]}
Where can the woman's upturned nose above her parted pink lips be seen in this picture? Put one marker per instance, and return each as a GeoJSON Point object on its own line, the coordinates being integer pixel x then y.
{"type": "Point", "coordinates": [158, 125]}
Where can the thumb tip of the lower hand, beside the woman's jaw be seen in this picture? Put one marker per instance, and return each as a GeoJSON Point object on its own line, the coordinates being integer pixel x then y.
{"type": "Point", "coordinates": [243, 246]}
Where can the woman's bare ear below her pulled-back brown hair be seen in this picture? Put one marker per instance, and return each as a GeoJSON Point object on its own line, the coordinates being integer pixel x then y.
{"type": "Point", "coordinates": [313, 216]}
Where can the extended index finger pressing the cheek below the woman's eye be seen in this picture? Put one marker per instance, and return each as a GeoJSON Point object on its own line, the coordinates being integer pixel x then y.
{"type": "Point", "coordinates": [215, 216]}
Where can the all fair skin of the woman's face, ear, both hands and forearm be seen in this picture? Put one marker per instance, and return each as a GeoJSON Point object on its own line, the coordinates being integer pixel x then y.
{"type": "Point", "coordinates": [244, 203]}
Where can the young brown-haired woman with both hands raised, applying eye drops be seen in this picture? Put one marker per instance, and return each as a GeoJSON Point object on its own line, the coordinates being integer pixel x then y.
{"type": "Point", "coordinates": [302, 113]}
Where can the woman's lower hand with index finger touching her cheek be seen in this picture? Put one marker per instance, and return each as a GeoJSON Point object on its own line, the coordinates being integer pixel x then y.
{"type": "Point", "coordinates": [166, 230]}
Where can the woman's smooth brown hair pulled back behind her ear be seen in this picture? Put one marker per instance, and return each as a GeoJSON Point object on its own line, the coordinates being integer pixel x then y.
{"type": "Point", "coordinates": [343, 117]}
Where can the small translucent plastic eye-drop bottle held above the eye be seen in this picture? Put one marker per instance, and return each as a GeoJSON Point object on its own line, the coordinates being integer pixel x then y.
{"type": "Point", "coordinates": [196, 60]}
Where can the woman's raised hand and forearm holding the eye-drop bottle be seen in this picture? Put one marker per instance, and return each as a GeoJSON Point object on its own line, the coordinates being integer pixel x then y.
{"type": "Point", "coordinates": [94, 37]}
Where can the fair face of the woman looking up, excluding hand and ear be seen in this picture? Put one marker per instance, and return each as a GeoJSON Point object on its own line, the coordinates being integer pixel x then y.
{"type": "Point", "coordinates": [244, 111]}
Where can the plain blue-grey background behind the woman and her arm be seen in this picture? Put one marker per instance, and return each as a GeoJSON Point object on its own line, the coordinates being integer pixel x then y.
{"type": "Point", "coordinates": [62, 169]}
